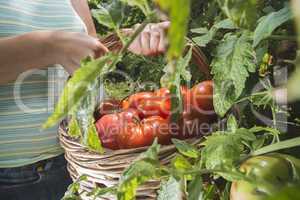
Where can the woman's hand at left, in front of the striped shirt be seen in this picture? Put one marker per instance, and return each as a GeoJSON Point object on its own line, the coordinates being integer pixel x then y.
{"type": "Point", "coordinates": [68, 49]}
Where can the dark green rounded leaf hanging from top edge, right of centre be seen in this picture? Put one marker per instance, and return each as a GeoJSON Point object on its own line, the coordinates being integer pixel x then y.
{"type": "Point", "coordinates": [242, 13]}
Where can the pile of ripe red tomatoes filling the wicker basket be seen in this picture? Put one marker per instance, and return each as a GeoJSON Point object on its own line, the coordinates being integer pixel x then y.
{"type": "Point", "coordinates": [139, 119]}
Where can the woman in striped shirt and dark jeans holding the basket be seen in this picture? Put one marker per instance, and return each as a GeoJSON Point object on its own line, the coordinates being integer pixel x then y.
{"type": "Point", "coordinates": [34, 36]}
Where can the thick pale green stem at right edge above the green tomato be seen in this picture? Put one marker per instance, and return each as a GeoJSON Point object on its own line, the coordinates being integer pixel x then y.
{"type": "Point", "coordinates": [278, 146]}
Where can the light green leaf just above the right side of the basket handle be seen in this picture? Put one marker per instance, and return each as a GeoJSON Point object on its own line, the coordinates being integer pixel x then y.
{"type": "Point", "coordinates": [209, 35]}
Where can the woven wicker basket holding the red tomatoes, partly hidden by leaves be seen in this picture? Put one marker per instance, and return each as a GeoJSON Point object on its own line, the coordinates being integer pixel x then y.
{"type": "Point", "coordinates": [105, 170]}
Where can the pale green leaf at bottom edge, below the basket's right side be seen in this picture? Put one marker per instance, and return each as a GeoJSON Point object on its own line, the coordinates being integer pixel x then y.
{"type": "Point", "coordinates": [170, 190]}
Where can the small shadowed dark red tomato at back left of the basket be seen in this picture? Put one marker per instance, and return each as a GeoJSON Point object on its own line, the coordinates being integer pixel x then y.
{"type": "Point", "coordinates": [107, 107]}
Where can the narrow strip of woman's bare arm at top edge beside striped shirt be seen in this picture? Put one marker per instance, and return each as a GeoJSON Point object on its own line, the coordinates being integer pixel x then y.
{"type": "Point", "coordinates": [82, 8]}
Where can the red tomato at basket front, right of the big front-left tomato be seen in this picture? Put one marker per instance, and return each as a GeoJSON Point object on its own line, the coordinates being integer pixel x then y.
{"type": "Point", "coordinates": [157, 126]}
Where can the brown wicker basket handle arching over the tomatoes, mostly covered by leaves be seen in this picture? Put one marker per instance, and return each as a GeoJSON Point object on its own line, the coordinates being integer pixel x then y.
{"type": "Point", "coordinates": [113, 43]}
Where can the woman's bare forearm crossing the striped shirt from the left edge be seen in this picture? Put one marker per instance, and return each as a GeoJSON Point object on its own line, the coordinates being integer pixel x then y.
{"type": "Point", "coordinates": [21, 53]}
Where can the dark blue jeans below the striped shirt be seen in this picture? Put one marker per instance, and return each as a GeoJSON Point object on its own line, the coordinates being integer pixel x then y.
{"type": "Point", "coordinates": [45, 180]}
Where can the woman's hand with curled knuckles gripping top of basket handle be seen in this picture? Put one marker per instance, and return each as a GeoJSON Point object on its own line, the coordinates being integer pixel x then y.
{"type": "Point", "coordinates": [152, 40]}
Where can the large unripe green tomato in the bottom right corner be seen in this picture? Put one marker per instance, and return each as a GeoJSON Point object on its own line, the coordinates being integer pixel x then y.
{"type": "Point", "coordinates": [271, 172]}
